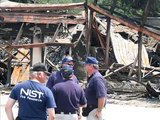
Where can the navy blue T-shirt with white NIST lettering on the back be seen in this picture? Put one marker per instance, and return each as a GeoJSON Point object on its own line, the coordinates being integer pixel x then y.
{"type": "Point", "coordinates": [33, 99]}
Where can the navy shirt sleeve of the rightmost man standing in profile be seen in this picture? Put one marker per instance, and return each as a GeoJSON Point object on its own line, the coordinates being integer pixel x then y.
{"type": "Point", "coordinates": [100, 87]}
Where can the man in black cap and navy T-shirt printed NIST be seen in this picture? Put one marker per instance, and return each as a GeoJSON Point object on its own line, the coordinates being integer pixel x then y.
{"type": "Point", "coordinates": [34, 99]}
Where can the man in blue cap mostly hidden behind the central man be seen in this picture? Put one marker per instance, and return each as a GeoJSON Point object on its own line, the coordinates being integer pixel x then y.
{"type": "Point", "coordinates": [56, 77]}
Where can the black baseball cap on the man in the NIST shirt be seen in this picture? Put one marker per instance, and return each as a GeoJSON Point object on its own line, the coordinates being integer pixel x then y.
{"type": "Point", "coordinates": [40, 67]}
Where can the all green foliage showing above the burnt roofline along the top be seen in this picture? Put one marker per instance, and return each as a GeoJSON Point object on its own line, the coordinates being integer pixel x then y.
{"type": "Point", "coordinates": [130, 8]}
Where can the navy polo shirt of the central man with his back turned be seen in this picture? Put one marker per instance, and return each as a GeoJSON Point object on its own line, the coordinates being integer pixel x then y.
{"type": "Point", "coordinates": [68, 96]}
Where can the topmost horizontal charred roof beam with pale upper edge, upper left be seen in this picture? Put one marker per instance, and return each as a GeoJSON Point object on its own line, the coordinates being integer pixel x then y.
{"type": "Point", "coordinates": [40, 7]}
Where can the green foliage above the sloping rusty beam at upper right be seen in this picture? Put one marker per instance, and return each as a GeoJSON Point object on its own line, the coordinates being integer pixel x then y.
{"type": "Point", "coordinates": [132, 8]}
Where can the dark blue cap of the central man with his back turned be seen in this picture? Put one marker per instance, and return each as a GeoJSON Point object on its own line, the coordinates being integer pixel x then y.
{"type": "Point", "coordinates": [67, 71]}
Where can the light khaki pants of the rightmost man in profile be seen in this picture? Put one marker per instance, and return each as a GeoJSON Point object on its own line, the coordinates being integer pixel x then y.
{"type": "Point", "coordinates": [92, 115]}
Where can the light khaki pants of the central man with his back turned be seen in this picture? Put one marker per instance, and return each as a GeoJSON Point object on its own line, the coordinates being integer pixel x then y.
{"type": "Point", "coordinates": [66, 116]}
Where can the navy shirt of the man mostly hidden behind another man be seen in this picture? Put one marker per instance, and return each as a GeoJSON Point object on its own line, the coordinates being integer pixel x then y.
{"type": "Point", "coordinates": [56, 77]}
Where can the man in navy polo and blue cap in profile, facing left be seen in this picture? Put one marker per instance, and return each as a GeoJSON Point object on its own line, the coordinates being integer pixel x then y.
{"type": "Point", "coordinates": [95, 91]}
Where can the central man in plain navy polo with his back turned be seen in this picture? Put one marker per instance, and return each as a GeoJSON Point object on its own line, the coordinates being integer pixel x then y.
{"type": "Point", "coordinates": [69, 96]}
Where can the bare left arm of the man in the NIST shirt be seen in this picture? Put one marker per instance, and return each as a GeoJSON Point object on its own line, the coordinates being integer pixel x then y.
{"type": "Point", "coordinates": [8, 108]}
